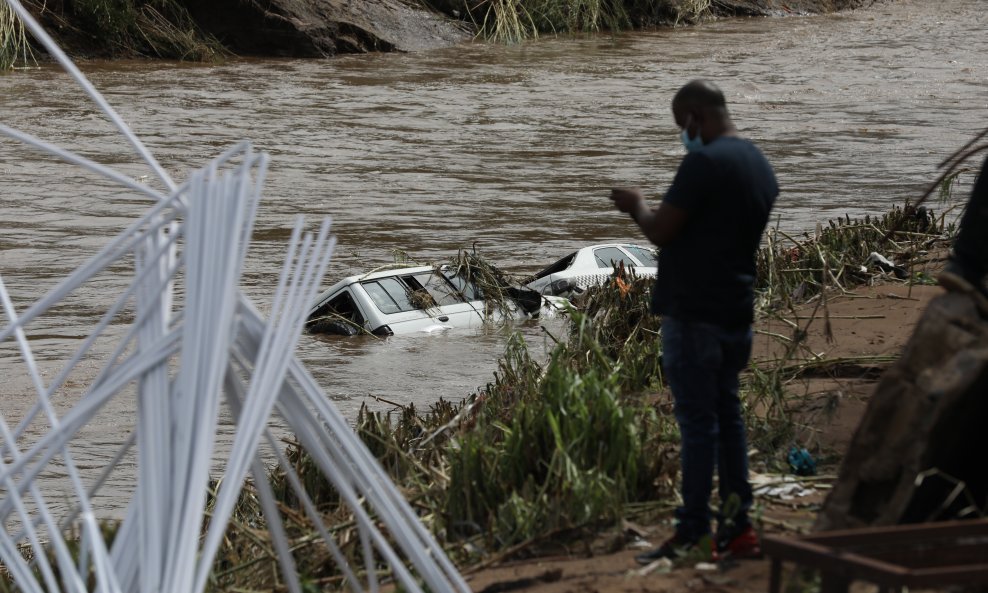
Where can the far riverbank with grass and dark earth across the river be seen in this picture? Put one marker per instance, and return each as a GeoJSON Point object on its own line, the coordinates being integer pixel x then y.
{"type": "Point", "coordinates": [187, 30]}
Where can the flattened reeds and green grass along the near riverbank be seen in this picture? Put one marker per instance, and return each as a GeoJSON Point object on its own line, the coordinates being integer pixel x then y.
{"type": "Point", "coordinates": [557, 451]}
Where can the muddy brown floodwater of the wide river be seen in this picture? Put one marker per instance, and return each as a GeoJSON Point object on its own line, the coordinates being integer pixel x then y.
{"type": "Point", "coordinates": [509, 149]}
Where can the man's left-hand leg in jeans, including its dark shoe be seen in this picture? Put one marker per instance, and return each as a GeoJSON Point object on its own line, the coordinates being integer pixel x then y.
{"type": "Point", "coordinates": [690, 358]}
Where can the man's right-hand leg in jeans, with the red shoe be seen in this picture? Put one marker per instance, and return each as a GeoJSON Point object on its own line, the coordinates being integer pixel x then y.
{"type": "Point", "coordinates": [735, 536]}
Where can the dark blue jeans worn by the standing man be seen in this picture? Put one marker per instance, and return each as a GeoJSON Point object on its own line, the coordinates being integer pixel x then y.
{"type": "Point", "coordinates": [701, 362]}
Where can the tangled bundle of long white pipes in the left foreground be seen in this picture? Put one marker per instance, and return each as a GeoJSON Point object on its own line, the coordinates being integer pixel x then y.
{"type": "Point", "coordinates": [188, 357]}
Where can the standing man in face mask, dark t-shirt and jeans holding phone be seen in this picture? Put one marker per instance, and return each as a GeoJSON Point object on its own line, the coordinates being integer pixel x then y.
{"type": "Point", "coordinates": [709, 226]}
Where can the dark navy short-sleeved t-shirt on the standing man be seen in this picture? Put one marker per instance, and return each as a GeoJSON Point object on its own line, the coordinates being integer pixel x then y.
{"type": "Point", "coordinates": [707, 273]}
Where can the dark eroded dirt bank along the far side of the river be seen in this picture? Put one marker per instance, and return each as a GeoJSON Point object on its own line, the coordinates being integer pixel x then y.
{"type": "Point", "coordinates": [191, 29]}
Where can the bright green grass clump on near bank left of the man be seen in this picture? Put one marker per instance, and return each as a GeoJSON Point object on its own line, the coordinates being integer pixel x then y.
{"type": "Point", "coordinates": [556, 447]}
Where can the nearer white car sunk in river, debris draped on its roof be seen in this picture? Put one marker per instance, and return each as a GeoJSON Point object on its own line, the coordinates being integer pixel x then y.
{"type": "Point", "coordinates": [409, 300]}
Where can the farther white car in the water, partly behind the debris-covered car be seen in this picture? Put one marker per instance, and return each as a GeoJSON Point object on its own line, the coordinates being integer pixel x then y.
{"type": "Point", "coordinates": [591, 266]}
